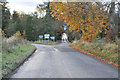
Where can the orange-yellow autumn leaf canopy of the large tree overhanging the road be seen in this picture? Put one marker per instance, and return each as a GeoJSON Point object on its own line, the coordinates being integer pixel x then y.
{"type": "Point", "coordinates": [81, 16]}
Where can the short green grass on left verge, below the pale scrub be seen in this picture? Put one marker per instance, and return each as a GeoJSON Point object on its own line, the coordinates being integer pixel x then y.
{"type": "Point", "coordinates": [12, 60]}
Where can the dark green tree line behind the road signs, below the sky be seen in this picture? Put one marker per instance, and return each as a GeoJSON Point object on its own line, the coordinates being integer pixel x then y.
{"type": "Point", "coordinates": [30, 25]}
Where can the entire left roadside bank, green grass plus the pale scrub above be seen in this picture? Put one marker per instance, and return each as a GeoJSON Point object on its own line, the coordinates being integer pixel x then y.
{"type": "Point", "coordinates": [14, 51]}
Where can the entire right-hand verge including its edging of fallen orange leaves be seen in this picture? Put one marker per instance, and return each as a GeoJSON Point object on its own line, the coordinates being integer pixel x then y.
{"type": "Point", "coordinates": [107, 52]}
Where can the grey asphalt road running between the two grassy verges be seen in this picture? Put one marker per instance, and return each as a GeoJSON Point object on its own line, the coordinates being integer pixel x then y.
{"type": "Point", "coordinates": [61, 61]}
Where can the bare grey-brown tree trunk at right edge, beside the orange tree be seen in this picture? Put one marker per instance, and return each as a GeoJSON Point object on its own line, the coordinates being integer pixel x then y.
{"type": "Point", "coordinates": [113, 10]}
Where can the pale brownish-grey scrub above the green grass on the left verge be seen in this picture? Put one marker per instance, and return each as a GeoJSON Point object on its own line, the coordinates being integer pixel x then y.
{"type": "Point", "coordinates": [10, 43]}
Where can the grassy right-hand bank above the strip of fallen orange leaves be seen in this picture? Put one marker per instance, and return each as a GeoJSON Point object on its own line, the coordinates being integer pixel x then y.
{"type": "Point", "coordinates": [108, 51]}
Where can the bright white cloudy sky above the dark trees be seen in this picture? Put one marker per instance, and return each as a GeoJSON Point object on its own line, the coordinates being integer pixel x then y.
{"type": "Point", "coordinates": [27, 6]}
